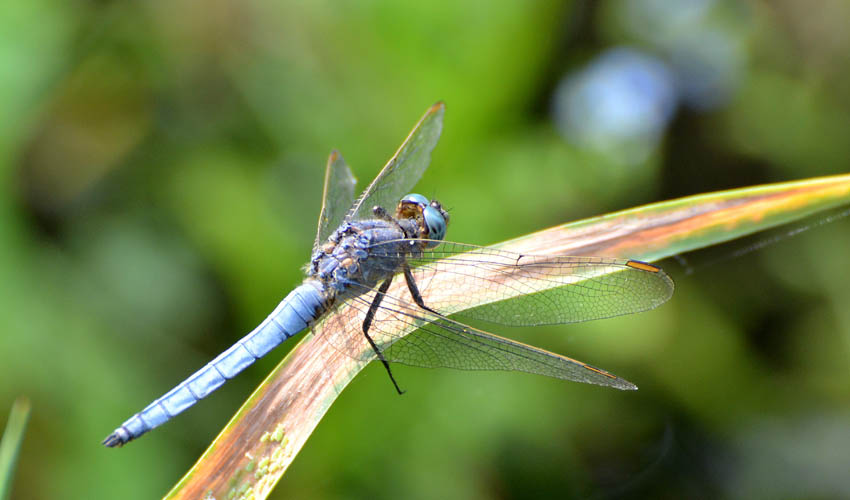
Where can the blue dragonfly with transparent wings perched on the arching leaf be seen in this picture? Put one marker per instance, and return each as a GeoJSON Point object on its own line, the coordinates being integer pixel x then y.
{"type": "Point", "coordinates": [361, 248]}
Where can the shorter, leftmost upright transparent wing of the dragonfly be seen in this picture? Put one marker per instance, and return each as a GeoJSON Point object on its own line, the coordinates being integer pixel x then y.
{"type": "Point", "coordinates": [337, 197]}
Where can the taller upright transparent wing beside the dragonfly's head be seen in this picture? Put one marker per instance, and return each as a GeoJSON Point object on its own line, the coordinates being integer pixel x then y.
{"type": "Point", "coordinates": [404, 169]}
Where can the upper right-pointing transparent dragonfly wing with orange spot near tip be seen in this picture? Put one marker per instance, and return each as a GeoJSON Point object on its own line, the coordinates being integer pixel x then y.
{"type": "Point", "coordinates": [520, 289]}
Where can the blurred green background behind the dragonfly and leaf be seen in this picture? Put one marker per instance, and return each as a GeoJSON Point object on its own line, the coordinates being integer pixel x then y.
{"type": "Point", "coordinates": [162, 165]}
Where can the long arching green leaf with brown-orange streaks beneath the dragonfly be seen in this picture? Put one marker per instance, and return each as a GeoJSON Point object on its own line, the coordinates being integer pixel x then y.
{"type": "Point", "coordinates": [258, 444]}
